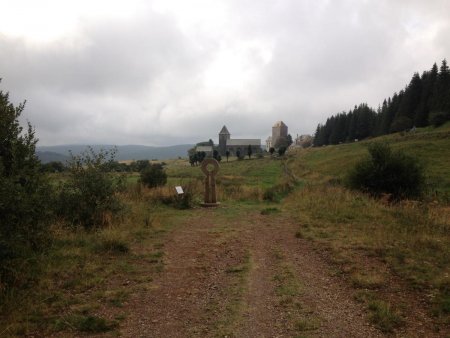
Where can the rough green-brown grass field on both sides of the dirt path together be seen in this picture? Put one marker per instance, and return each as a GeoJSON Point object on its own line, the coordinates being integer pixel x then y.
{"type": "Point", "coordinates": [368, 240]}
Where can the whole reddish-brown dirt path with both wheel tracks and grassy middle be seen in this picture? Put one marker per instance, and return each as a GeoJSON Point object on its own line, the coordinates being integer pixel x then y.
{"type": "Point", "coordinates": [243, 276]}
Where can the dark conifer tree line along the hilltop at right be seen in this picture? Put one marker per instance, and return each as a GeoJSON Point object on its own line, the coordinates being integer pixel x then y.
{"type": "Point", "coordinates": [424, 101]}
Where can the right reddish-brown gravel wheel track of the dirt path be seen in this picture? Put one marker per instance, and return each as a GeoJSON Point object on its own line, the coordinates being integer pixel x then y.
{"type": "Point", "coordinates": [322, 297]}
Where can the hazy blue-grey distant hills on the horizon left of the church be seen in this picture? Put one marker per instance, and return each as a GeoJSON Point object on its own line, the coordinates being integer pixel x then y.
{"type": "Point", "coordinates": [127, 152]}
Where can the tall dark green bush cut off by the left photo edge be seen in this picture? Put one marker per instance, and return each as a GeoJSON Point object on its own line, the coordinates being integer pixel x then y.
{"type": "Point", "coordinates": [25, 200]}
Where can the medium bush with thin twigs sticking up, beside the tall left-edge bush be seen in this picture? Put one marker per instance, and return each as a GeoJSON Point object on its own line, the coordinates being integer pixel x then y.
{"type": "Point", "coordinates": [89, 196]}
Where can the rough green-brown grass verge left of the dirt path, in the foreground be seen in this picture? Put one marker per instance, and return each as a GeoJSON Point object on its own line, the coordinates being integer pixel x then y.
{"type": "Point", "coordinates": [84, 273]}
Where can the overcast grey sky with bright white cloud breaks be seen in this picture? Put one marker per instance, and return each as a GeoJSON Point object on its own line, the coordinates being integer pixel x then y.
{"type": "Point", "coordinates": [166, 72]}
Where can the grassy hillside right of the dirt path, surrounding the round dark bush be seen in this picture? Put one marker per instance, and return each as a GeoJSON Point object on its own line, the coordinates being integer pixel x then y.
{"type": "Point", "coordinates": [370, 241]}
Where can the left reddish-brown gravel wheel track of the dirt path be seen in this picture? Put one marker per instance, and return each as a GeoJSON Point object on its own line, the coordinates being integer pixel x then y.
{"type": "Point", "coordinates": [193, 294]}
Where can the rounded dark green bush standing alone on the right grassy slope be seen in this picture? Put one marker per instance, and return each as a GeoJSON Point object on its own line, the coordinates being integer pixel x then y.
{"type": "Point", "coordinates": [384, 171]}
